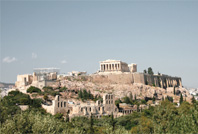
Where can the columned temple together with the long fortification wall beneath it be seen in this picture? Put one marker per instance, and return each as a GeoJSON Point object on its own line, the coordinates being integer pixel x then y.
{"type": "Point", "coordinates": [116, 71]}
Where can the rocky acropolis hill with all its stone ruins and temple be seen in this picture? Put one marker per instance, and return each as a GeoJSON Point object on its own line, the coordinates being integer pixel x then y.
{"type": "Point", "coordinates": [115, 78]}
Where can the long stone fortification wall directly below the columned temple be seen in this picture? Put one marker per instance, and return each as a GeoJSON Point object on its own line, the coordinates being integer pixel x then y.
{"type": "Point", "coordinates": [161, 80]}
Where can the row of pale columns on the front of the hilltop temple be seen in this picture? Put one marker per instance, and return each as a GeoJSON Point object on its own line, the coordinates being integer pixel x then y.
{"type": "Point", "coordinates": [110, 67]}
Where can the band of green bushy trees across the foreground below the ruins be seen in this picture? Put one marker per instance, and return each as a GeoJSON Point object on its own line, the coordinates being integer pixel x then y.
{"type": "Point", "coordinates": [165, 118]}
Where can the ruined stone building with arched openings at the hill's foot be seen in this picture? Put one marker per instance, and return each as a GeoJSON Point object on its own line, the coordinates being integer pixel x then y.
{"type": "Point", "coordinates": [98, 109]}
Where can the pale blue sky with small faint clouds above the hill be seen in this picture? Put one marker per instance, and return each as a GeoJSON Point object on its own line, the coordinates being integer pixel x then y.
{"type": "Point", "coordinates": [161, 35]}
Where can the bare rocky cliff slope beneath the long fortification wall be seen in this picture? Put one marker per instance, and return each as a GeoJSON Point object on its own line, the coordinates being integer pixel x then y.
{"type": "Point", "coordinates": [121, 90]}
